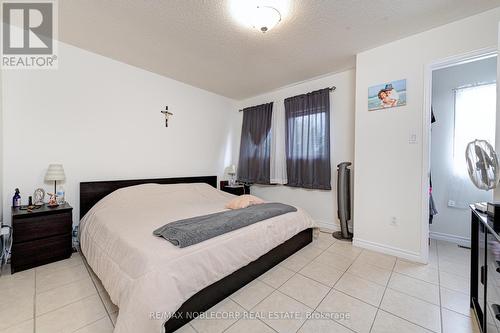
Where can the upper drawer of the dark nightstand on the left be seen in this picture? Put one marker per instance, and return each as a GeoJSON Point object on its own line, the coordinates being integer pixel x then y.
{"type": "Point", "coordinates": [35, 227]}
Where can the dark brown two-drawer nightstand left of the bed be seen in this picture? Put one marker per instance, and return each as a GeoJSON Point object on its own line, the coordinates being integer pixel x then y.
{"type": "Point", "coordinates": [40, 237]}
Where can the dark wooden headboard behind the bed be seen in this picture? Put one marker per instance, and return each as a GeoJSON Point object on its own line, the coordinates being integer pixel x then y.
{"type": "Point", "coordinates": [92, 192]}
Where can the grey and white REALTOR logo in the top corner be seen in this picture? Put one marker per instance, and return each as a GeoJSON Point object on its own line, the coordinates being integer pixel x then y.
{"type": "Point", "coordinates": [28, 34]}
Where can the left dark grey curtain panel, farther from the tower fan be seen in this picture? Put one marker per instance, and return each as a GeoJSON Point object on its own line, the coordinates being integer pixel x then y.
{"type": "Point", "coordinates": [255, 147]}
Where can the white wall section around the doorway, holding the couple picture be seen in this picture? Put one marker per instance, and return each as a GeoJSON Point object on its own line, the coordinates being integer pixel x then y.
{"type": "Point", "coordinates": [388, 171]}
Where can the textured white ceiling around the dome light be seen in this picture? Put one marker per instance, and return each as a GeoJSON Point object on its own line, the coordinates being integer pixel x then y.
{"type": "Point", "coordinates": [198, 42]}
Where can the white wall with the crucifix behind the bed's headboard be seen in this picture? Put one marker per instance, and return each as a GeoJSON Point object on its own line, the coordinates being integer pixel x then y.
{"type": "Point", "coordinates": [101, 119]}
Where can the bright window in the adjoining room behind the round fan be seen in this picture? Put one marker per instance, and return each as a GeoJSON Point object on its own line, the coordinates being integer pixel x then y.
{"type": "Point", "coordinates": [475, 118]}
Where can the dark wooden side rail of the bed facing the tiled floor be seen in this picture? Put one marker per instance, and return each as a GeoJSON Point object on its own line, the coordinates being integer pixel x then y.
{"type": "Point", "coordinates": [216, 292]}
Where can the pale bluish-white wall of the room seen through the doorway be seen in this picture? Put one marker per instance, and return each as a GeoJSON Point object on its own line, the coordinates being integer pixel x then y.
{"type": "Point", "coordinates": [452, 223]}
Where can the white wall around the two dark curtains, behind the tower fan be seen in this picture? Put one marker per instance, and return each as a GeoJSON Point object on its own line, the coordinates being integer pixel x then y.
{"type": "Point", "coordinates": [321, 205]}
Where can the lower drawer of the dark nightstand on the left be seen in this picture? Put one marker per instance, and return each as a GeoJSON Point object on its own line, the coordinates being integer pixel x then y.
{"type": "Point", "coordinates": [40, 252]}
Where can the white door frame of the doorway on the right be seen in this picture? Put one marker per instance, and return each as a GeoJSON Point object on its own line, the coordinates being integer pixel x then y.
{"type": "Point", "coordinates": [455, 60]}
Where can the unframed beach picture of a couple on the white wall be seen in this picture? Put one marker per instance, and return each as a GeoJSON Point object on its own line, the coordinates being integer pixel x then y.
{"type": "Point", "coordinates": [387, 95]}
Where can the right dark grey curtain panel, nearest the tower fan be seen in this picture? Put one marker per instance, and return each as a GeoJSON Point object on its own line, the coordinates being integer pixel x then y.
{"type": "Point", "coordinates": [308, 140]}
